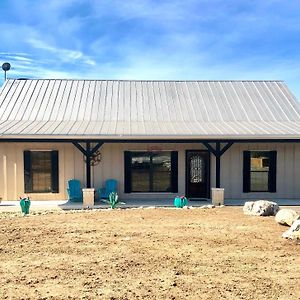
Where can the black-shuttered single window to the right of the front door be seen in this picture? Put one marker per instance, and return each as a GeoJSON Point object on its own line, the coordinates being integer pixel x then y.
{"type": "Point", "coordinates": [260, 171]}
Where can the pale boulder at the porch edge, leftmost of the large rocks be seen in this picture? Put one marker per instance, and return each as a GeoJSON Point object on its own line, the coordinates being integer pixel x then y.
{"type": "Point", "coordinates": [261, 208]}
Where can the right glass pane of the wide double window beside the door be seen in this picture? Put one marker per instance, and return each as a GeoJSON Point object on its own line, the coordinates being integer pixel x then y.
{"type": "Point", "coordinates": [161, 165]}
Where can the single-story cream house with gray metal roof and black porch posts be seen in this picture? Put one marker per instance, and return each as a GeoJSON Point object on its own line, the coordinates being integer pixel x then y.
{"type": "Point", "coordinates": [157, 138]}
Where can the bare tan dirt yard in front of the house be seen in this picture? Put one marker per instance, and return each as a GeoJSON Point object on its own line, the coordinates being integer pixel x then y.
{"type": "Point", "coordinates": [147, 254]}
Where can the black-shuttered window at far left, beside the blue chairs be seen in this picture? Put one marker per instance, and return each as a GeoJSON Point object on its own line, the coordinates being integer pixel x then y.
{"type": "Point", "coordinates": [41, 171]}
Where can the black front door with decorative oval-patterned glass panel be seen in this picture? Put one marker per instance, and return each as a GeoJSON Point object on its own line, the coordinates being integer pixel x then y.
{"type": "Point", "coordinates": [197, 174]}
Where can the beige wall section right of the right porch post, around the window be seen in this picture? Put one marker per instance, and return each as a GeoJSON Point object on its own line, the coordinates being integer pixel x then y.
{"type": "Point", "coordinates": [288, 171]}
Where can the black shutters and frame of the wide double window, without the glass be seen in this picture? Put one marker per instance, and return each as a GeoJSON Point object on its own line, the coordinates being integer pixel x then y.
{"type": "Point", "coordinates": [128, 170]}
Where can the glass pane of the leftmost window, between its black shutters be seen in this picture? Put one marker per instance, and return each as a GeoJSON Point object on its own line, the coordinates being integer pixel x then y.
{"type": "Point", "coordinates": [41, 171]}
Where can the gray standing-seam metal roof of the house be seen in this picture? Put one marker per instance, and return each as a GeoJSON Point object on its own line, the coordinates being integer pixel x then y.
{"type": "Point", "coordinates": [147, 109]}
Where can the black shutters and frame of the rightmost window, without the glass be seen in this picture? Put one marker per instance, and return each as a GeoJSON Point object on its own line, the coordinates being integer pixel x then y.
{"type": "Point", "coordinates": [272, 173]}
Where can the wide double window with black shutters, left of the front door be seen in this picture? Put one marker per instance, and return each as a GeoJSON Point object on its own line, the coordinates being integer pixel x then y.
{"type": "Point", "coordinates": [151, 171]}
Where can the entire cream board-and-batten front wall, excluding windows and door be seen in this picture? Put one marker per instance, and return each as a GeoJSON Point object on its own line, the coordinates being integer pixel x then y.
{"type": "Point", "coordinates": [71, 165]}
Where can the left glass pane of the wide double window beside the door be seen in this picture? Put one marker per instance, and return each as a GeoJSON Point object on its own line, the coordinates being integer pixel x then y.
{"type": "Point", "coordinates": [140, 172]}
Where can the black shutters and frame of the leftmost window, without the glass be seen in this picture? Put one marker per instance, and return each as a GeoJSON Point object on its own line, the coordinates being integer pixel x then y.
{"type": "Point", "coordinates": [28, 172]}
